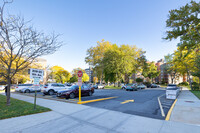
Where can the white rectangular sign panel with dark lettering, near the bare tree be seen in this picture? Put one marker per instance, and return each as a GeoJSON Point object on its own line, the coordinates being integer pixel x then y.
{"type": "Point", "coordinates": [36, 73]}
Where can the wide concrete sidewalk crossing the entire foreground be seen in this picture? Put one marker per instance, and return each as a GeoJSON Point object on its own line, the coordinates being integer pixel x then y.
{"type": "Point", "coordinates": [74, 118]}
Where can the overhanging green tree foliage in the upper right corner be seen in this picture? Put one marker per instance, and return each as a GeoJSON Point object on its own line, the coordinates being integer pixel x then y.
{"type": "Point", "coordinates": [184, 23]}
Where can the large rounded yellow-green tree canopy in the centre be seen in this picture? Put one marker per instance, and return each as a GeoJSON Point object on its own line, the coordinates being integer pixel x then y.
{"type": "Point", "coordinates": [113, 62]}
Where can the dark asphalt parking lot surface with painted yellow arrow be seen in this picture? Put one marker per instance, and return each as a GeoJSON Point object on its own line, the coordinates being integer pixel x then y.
{"type": "Point", "coordinates": [142, 102]}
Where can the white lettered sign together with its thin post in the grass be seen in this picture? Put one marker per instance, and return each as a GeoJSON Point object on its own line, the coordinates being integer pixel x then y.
{"type": "Point", "coordinates": [36, 75]}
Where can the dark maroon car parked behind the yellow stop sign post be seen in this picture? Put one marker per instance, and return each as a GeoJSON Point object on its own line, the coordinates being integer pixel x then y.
{"type": "Point", "coordinates": [73, 91]}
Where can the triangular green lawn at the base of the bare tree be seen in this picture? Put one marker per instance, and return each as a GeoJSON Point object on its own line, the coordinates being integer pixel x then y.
{"type": "Point", "coordinates": [18, 108]}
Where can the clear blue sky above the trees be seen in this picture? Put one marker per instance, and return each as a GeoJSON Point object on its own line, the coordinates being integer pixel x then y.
{"type": "Point", "coordinates": [82, 23]}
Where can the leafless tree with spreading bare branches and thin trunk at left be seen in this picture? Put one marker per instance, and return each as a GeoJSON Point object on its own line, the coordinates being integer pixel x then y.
{"type": "Point", "coordinates": [20, 45]}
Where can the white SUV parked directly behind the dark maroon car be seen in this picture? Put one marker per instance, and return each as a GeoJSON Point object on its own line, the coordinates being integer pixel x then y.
{"type": "Point", "coordinates": [51, 88]}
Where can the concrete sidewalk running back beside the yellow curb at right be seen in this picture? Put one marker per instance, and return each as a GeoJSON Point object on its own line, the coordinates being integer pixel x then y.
{"type": "Point", "coordinates": [187, 108]}
